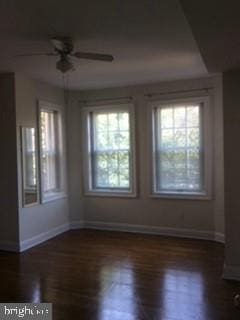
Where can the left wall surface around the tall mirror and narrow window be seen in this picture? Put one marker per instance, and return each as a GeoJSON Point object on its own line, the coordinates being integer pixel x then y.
{"type": "Point", "coordinates": [42, 220]}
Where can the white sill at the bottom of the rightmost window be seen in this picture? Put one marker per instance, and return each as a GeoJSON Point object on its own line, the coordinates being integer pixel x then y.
{"type": "Point", "coordinates": [181, 196]}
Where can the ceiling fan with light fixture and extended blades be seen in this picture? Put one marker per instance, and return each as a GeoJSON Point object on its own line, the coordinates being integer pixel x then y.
{"type": "Point", "coordinates": [64, 49]}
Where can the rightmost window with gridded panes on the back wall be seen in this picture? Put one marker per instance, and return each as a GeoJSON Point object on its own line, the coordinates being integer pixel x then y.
{"type": "Point", "coordinates": [180, 148]}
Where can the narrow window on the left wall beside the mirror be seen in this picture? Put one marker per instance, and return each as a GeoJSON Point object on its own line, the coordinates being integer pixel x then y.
{"type": "Point", "coordinates": [51, 152]}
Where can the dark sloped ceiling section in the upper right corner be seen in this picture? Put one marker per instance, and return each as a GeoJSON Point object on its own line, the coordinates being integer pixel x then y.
{"type": "Point", "coordinates": [216, 28]}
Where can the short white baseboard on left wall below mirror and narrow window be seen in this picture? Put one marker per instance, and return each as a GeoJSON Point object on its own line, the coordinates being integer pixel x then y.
{"type": "Point", "coordinates": [44, 236]}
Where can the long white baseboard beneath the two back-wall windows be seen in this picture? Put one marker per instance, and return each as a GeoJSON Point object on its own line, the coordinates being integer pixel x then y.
{"type": "Point", "coordinates": [174, 232]}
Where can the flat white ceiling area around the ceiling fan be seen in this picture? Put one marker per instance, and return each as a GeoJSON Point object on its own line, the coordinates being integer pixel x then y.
{"type": "Point", "coordinates": [149, 39]}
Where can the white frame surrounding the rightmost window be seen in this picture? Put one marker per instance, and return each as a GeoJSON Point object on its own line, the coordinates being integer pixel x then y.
{"type": "Point", "coordinates": [206, 120]}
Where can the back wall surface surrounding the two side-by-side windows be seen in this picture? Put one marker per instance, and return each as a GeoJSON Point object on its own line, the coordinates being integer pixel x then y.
{"type": "Point", "coordinates": [202, 218]}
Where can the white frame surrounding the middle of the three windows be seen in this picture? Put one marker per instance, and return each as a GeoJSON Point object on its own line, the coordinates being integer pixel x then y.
{"type": "Point", "coordinates": [86, 148]}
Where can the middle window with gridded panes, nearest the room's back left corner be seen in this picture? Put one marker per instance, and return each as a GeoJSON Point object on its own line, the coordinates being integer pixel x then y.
{"type": "Point", "coordinates": [109, 140]}
